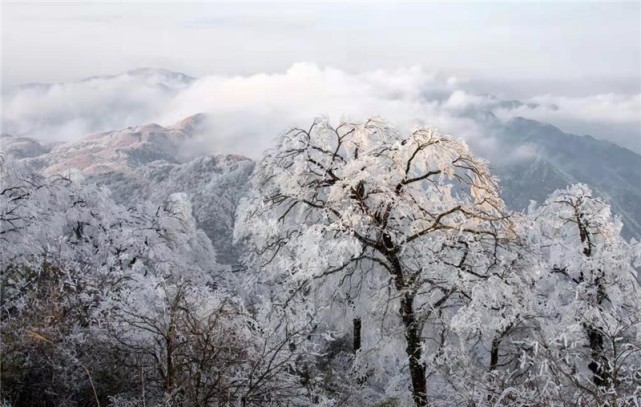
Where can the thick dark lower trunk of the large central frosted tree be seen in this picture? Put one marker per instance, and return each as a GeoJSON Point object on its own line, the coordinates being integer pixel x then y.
{"type": "Point", "coordinates": [412, 335]}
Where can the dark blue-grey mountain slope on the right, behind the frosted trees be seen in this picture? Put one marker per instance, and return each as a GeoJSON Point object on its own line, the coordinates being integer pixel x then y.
{"type": "Point", "coordinates": [611, 171]}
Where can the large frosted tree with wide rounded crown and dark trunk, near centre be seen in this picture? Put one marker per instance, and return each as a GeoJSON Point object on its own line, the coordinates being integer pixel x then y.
{"type": "Point", "coordinates": [344, 208]}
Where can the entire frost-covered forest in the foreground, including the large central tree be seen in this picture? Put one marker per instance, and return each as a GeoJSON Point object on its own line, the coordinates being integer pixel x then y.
{"type": "Point", "coordinates": [375, 268]}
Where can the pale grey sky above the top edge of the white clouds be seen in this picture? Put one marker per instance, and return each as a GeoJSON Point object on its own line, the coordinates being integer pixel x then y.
{"type": "Point", "coordinates": [534, 48]}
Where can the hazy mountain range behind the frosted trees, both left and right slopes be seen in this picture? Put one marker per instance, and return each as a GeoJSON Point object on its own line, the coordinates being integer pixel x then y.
{"type": "Point", "coordinates": [149, 162]}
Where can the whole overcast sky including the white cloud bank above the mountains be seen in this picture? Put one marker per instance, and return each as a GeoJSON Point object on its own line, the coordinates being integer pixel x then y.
{"type": "Point", "coordinates": [575, 65]}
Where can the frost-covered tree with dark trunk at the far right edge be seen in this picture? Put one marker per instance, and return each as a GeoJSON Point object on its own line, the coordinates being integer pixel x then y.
{"type": "Point", "coordinates": [590, 300]}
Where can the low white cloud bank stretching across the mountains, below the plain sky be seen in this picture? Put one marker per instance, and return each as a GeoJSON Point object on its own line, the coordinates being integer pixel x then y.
{"type": "Point", "coordinates": [246, 113]}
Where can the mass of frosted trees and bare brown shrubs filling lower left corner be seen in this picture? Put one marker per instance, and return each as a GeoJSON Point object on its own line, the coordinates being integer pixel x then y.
{"type": "Point", "coordinates": [101, 302]}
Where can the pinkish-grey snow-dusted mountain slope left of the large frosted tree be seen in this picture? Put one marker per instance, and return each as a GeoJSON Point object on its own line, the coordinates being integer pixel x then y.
{"type": "Point", "coordinates": [148, 163]}
